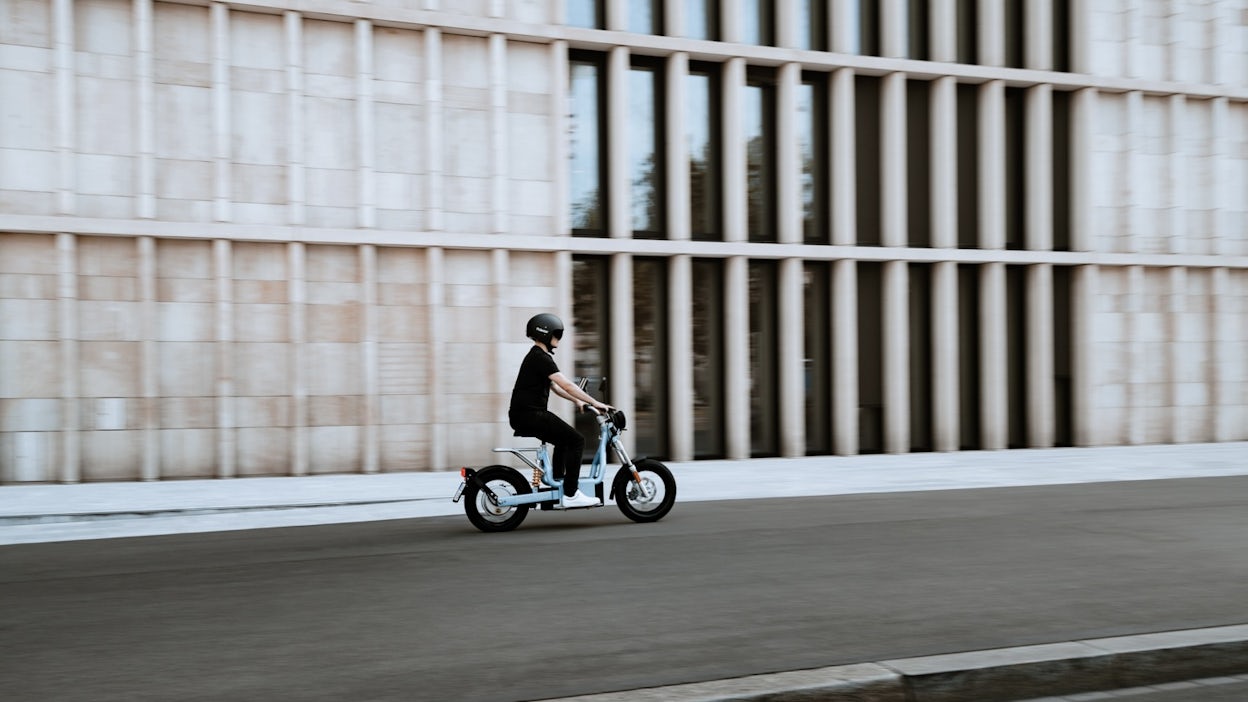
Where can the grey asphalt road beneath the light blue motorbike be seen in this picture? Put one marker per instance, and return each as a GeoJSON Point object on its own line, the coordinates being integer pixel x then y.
{"type": "Point", "coordinates": [590, 603]}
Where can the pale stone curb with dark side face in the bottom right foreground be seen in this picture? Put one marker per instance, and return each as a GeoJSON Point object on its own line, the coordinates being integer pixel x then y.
{"type": "Point", "coordinates": [998, 675]}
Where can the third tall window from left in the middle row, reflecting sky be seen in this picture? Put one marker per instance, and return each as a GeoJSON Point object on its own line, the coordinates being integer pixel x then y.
{"type": "Point", "coordinates": [702, 141]}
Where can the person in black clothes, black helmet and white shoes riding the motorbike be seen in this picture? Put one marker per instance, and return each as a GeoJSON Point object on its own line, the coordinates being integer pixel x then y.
{"type": "Point", "coordinates": [529, 413]}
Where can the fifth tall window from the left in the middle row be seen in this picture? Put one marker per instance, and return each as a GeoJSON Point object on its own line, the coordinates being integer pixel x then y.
{"type": "Point", "coordinates": [813, 146]}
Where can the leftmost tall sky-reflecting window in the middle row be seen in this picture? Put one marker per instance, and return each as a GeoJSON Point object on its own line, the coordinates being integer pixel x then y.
{"type": "Point", "coordinates": [587, 146]}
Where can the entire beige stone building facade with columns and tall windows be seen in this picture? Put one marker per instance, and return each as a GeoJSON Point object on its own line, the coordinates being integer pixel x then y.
{"type": "Point", "coordinates": [300, 238]}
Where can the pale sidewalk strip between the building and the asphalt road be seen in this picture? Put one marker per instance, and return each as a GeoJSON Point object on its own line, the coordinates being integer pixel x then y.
{"type": "Point", "coordinates": [33, 514]}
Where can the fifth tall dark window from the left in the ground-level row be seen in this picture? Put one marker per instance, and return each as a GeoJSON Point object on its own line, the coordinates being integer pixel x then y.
{"type": "Point", "coordinates": [818, 363]}
